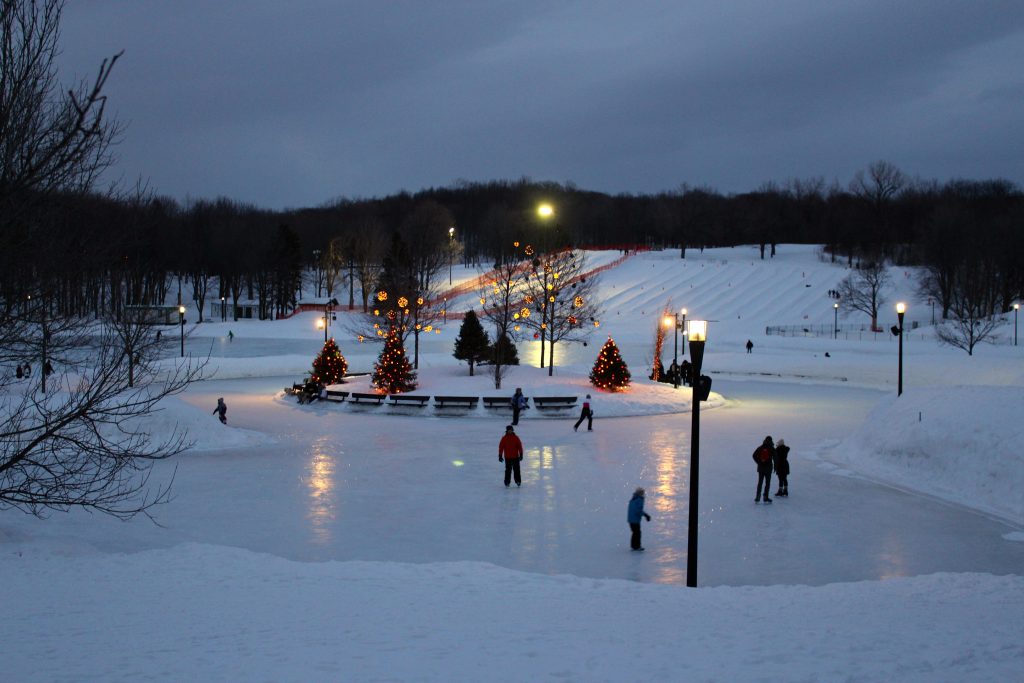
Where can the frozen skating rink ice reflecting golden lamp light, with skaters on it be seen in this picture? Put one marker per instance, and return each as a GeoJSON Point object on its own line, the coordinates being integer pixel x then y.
{"type": "Point", "coordinates": [429, 490]}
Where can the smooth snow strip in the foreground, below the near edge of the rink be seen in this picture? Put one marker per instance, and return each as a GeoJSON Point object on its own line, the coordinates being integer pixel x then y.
{"type": "Point", "coordinates": [217, 614]}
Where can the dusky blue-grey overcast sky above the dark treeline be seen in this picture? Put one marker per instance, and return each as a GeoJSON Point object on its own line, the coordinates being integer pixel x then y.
{"type": "Point", "coordinates": [295, 104]}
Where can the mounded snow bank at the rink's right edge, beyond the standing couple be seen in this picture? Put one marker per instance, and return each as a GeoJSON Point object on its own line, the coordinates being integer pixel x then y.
{"type": "Point", "coordinates": [963, 445]}
